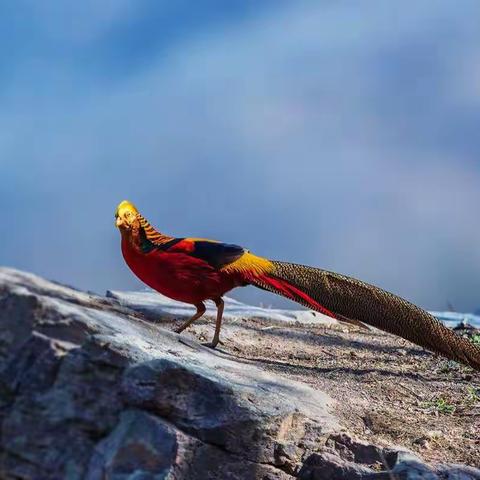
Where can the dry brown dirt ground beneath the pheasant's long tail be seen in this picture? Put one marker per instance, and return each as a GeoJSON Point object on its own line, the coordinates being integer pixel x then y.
{"type": "Point", "coordinates": [388, 391]}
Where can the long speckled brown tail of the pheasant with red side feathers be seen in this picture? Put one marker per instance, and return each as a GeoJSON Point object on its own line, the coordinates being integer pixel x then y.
{"type": "Point", "coordinates": [346, 298]}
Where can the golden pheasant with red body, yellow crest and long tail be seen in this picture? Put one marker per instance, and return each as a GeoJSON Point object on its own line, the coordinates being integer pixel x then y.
{"type": "Point", "coordinates": [194, 270]}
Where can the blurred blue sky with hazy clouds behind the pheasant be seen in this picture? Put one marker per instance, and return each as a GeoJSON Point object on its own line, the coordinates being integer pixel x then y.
{"type": "Point", "coordinates": [338, 134]}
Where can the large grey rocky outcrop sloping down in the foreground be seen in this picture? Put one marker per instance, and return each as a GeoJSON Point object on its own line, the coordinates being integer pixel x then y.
{"type": "Point", "coordinates": [89, 389]}
